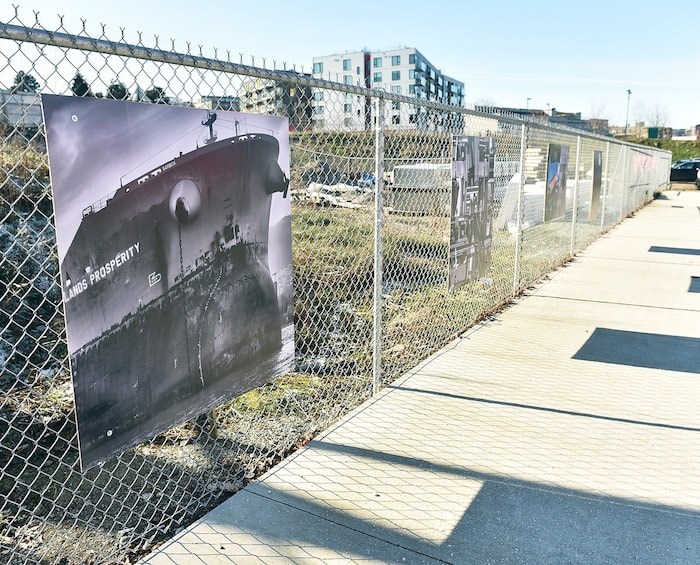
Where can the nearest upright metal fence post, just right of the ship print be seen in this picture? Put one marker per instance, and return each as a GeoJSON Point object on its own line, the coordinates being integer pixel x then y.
{"type": "Point", "coordinates": [378, 258]}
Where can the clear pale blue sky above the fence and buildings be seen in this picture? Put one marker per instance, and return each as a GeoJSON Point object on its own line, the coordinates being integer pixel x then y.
{"type": "Point", "coordinates": [572, 55]}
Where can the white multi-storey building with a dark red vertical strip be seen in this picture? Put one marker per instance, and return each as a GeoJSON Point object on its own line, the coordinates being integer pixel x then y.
{"type": "Point", "coordinates": [403, 71]}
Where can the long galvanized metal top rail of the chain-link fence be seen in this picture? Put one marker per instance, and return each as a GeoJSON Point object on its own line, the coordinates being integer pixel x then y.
{"type": "Point", "coordinates": [41, 36]}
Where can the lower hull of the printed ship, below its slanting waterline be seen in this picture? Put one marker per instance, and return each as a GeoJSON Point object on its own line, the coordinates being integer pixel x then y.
{"type": "Point", "coordinates": [197, 345]}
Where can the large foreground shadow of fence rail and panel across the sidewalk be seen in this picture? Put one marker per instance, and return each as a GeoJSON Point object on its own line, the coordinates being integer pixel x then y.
{"type": "Point", "coordinates": [538, 523]}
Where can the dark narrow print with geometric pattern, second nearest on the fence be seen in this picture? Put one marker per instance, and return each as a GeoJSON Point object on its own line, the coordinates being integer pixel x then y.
{"type": "Point", "coordinates": [471, 232]}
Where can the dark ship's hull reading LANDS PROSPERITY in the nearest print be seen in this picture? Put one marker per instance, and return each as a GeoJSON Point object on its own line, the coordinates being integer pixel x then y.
{"type": "Point", "coordinates": [170, 303]}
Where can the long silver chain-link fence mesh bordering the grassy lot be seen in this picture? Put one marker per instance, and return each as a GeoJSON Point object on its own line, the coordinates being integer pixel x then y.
{"type": "Point", "coordinates": [371, 190]}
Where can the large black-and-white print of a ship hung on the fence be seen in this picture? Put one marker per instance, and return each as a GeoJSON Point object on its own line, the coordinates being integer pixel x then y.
{"type": "Point", "coordinates": [174, 240]}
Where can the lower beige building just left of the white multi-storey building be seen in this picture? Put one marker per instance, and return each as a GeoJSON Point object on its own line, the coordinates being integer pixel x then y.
{"type": "Point", "coordinates": [278, 98]}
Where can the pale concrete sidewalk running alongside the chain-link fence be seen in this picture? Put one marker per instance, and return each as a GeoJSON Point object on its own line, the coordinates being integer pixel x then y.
{"type": "Point", "coordinates": [567, 430]}
